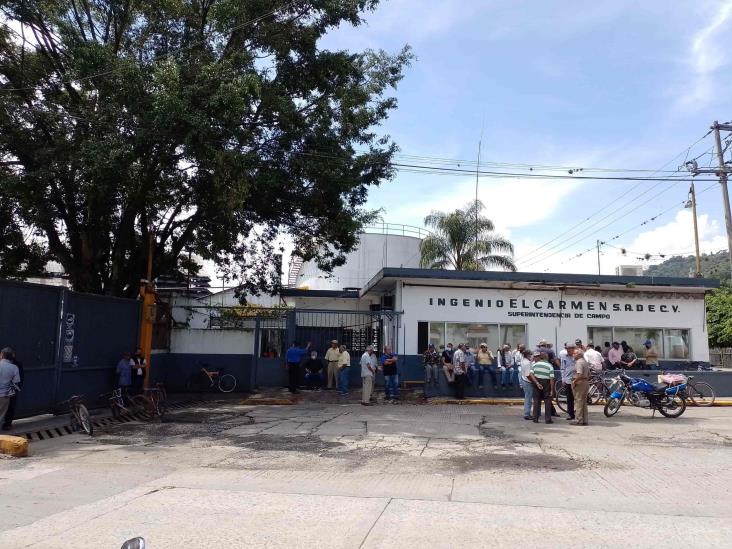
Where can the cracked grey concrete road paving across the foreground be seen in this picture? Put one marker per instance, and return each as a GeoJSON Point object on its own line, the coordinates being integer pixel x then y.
{"type": "Point", "coordinates": [323, 474]}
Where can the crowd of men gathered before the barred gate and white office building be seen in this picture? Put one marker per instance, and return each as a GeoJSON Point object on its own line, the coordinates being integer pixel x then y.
{"type": "Point", "coordinates": [539, 372]}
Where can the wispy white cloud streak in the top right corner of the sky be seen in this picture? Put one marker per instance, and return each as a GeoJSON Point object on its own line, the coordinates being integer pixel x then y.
{"type": "Point", "coordinates": [707, 55]}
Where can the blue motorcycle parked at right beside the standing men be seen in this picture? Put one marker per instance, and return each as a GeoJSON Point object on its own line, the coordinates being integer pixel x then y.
{"type": "Point", "coordinates": [669, 400]}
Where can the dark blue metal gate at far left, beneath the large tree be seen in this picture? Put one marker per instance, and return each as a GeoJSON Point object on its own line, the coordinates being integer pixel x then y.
{"type": "Point", "coordinates": [68, 342]}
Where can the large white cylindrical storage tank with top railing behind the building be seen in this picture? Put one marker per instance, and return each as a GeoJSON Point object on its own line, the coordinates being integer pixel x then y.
{"type": "Point", "coordinates": [380, 246]}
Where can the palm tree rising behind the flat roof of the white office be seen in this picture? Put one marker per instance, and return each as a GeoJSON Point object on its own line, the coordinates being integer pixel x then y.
{"type": "Point", "coordinates": [453, 243]}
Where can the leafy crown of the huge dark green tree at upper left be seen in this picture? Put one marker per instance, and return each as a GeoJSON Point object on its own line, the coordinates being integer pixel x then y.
{"type": "Point", "coordinates": [208, 126]}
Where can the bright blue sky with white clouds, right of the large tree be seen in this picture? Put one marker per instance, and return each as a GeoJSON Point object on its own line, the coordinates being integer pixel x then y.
{"type": "Point", "coordinates": [609, 84]}
